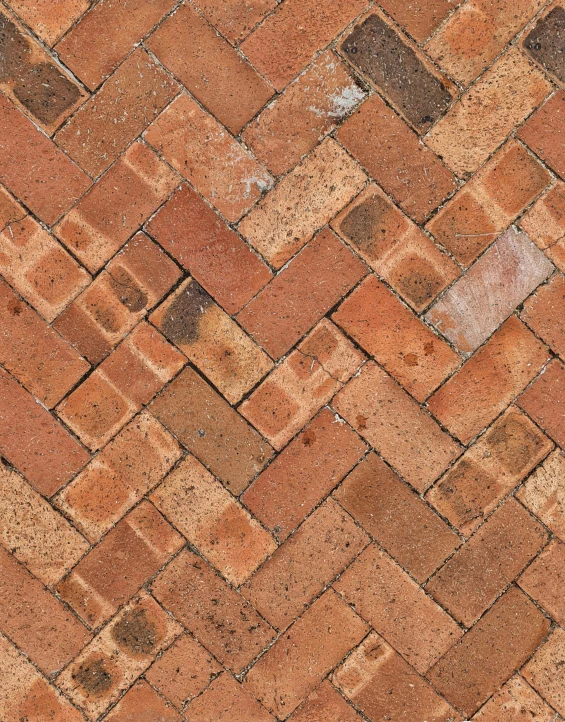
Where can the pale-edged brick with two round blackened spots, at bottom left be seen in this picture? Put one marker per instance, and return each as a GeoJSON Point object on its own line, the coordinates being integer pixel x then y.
{"type": "Point", "coordinates": [118, 655]}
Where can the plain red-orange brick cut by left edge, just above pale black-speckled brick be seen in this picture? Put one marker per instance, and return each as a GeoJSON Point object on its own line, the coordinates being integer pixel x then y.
{"type": "Point", "coordinates": [34, 442]}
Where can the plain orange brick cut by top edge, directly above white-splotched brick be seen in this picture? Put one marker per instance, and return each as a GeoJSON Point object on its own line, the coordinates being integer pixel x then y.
{"type": "Point", "coordinates": [290, 37]}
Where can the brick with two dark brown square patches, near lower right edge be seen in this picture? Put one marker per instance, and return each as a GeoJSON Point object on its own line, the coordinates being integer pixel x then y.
{"type": "Point", "coordinates": [489, 470]}
